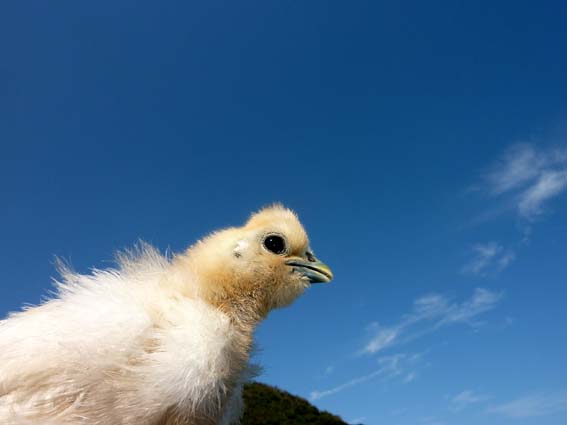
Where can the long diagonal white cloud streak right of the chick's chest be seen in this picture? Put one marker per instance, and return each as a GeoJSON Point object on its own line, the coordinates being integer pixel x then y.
{"type": "Point", "coordinates": [435, 311]}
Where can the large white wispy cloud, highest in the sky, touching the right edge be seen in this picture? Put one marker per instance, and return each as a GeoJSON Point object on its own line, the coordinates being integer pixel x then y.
{"type": "Point", "coordinates": [530, 176]}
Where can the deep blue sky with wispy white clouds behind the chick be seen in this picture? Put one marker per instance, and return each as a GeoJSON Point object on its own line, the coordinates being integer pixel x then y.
{"type": "Point", "coordinates": [424, 145]}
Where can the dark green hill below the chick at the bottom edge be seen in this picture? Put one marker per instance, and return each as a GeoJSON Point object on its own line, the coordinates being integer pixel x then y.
{"type": "Point", "coordinates": [266, 405]}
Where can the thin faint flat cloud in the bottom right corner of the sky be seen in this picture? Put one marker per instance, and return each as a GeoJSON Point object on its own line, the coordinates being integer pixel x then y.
{"type": "Point", "coordinates": [534, 405]}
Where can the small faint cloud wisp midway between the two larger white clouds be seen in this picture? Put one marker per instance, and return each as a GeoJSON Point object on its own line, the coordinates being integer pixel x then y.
{"type": "Point", "coordinates": [489, 257]}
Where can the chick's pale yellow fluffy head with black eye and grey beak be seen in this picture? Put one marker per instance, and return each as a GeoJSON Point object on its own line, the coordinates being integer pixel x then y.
{"type": "Point", "coordinates": [267, 261]}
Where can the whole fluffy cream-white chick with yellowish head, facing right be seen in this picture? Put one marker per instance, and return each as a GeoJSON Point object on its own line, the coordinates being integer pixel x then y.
{"type": "Point", "coordinates": [156, 341]}
